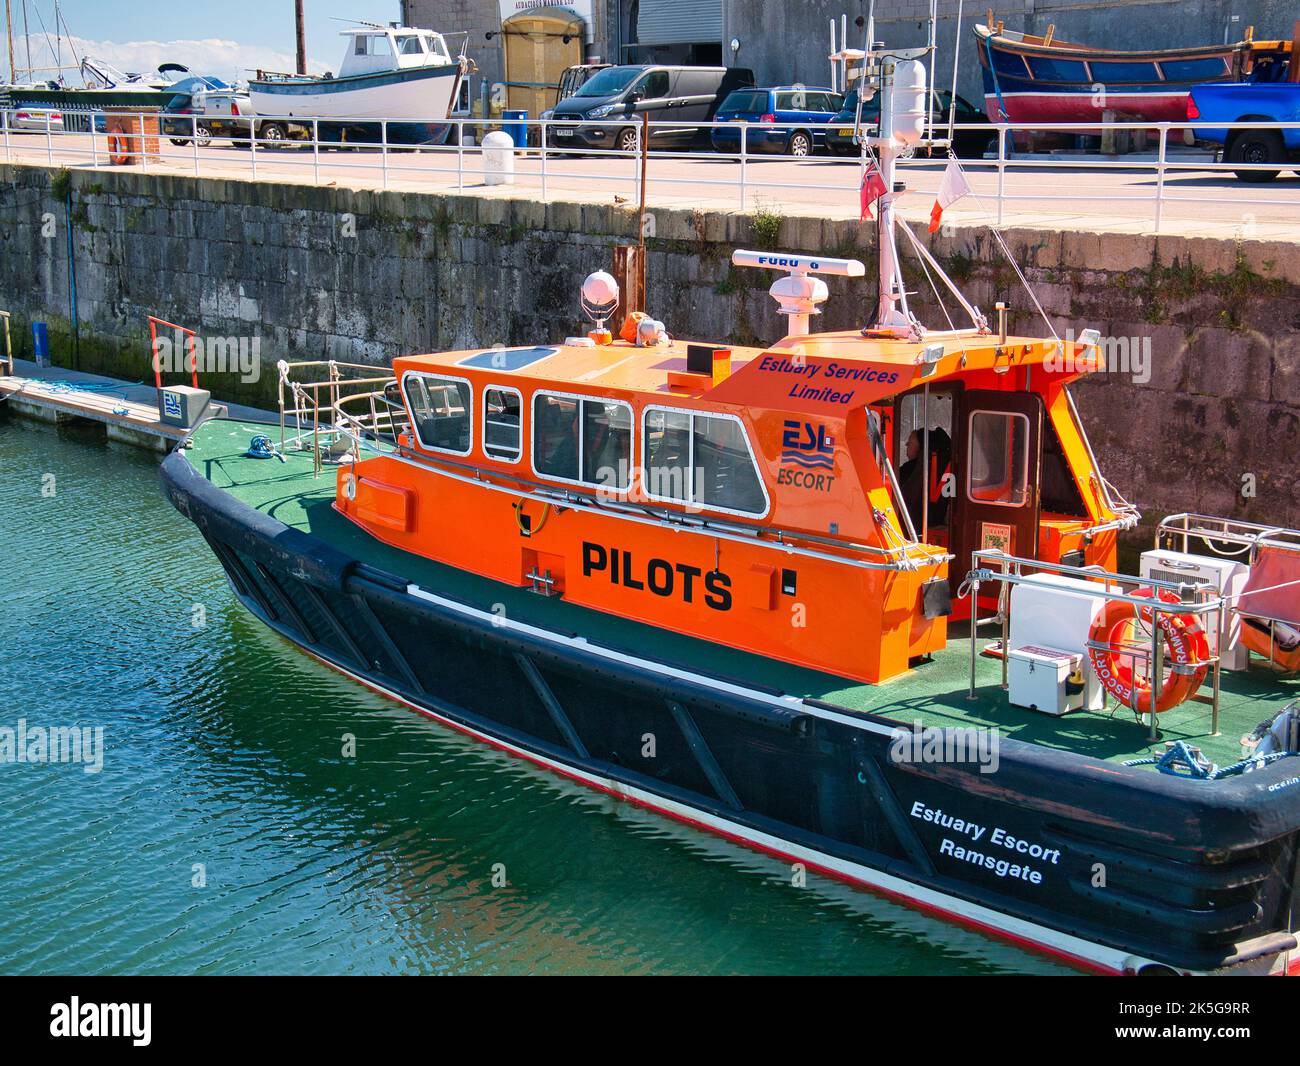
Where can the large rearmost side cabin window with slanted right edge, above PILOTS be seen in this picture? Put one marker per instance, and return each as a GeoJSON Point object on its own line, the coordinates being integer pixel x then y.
{"type": "Point", "coordinates": [701, 460]}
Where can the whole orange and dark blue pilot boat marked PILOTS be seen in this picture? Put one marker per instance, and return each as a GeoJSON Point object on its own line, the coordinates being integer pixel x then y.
{"type": "Point", "coordinates": [851, 600]}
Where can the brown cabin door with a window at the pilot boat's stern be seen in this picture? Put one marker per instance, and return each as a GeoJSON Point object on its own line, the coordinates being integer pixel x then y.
{"type": "Point", "coordinates": [996, 502]}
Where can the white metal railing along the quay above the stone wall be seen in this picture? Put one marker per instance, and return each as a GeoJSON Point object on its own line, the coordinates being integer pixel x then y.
{"type": "Point", "coordinates": [314, 146]}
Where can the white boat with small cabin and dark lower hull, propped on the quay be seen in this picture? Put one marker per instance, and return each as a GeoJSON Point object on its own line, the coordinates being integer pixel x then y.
{"type": "Point", "coordinates": [397, 73]}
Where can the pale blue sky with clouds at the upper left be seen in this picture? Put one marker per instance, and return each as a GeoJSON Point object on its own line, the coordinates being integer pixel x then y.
{"type": "Point", "coordinates": [226, 40]}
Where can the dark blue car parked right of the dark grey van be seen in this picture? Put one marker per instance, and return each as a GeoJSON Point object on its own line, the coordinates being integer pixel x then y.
{"type": "Point", "coordinates": [788, 120]}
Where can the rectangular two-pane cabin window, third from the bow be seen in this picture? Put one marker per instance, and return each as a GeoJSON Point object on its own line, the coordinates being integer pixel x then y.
{"type": "Point", "coordinates": [582, 440]}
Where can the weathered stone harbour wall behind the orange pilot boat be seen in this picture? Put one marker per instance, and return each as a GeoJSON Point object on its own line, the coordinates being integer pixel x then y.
{"type": "Point", "coordinates": [1207, 417]}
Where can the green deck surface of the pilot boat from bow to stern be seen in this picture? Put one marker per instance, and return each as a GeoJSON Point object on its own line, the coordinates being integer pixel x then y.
{"type": "Point", "coordinates": [935, 694]}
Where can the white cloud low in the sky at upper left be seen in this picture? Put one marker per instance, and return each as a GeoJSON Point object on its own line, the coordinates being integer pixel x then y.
{"type": "Point", "coordinates": [216, 57]}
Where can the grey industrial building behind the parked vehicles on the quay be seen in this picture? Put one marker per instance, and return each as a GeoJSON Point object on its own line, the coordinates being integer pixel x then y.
{"type": "Point", "coordinates": [526, 45]}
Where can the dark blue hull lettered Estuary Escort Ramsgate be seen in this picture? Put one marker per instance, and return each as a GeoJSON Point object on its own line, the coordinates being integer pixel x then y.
{"type": "Point", "coordinates": [1111, 869]}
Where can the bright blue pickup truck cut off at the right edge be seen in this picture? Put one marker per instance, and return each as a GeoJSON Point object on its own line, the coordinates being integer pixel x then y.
{"type": "Point", "coordinates": [1250, 102]}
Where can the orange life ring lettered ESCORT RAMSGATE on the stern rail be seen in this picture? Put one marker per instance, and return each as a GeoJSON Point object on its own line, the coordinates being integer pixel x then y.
{"type": "Point", "coordinates": [1185, 648]}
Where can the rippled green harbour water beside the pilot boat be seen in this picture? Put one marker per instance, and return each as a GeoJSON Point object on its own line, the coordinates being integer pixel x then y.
{"type": "Point", "coordinates": [224, 759]}
